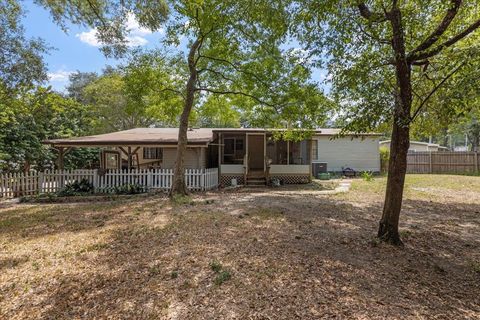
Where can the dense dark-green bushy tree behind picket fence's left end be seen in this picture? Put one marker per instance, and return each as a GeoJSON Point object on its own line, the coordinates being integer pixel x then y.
{"type": "Point", "coordinates": [33, 117]}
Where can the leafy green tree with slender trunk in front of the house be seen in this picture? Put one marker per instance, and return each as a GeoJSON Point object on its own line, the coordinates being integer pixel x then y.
{"type": "Point", "coordinates": [226, 42]}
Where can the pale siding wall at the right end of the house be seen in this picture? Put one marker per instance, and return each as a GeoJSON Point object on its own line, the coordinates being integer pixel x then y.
{"type": "Point", "coordinates": [355, 153]}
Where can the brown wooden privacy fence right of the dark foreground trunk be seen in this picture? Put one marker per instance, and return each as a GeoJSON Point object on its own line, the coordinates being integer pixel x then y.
{"type": "Point", "coordinates": [443, 162]}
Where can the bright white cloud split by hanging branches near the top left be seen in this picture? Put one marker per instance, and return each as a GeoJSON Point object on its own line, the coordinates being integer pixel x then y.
{"type": "Point", "coordinates": [136, 34]}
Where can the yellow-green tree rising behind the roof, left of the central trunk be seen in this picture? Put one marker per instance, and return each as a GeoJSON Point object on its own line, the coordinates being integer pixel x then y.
{"type": "Point", "coordinates": [131, 95]}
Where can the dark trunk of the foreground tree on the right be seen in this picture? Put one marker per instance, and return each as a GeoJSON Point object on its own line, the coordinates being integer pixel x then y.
{"type": "Point", "coordinates": [397, 166]}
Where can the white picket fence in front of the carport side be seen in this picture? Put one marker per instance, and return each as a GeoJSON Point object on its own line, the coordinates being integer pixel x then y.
{"type": "Point", "coordinates": [32, 183]}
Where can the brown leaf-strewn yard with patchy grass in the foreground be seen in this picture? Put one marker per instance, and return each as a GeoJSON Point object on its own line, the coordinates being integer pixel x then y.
{"type": "Point", "coordinates": [287, 253]}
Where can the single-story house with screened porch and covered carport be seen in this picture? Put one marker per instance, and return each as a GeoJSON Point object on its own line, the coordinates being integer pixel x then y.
{"type": "Point", "coordinates": [251, 155]}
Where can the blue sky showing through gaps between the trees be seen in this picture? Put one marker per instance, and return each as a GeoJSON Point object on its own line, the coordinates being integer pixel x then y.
{"type": "Point", "coordinates": [79, 50]}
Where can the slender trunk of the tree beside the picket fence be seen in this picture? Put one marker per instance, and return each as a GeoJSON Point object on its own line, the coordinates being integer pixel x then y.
{"type": "Point", "coordinates": [179, 186]}
